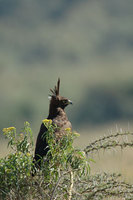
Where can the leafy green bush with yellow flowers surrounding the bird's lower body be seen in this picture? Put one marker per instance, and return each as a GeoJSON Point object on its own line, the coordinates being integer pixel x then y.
{"type": "Point", "coordinates": [61, 160]}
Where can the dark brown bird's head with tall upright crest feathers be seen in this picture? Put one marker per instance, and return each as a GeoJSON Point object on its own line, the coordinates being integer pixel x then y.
{"type": "Point", "coordinates": [57, 100]}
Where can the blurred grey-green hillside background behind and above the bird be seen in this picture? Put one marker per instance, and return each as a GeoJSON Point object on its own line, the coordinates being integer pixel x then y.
{"type": "Point", "coordinates": [88, 44]}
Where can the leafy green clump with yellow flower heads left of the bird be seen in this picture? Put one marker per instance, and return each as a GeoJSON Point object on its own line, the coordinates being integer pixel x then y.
{"type": "Point", "coordinates": [15, 169]}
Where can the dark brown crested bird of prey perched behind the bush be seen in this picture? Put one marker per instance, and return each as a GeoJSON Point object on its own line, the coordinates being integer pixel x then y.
{"type": "Point", "coordinates": [58, 117]}
